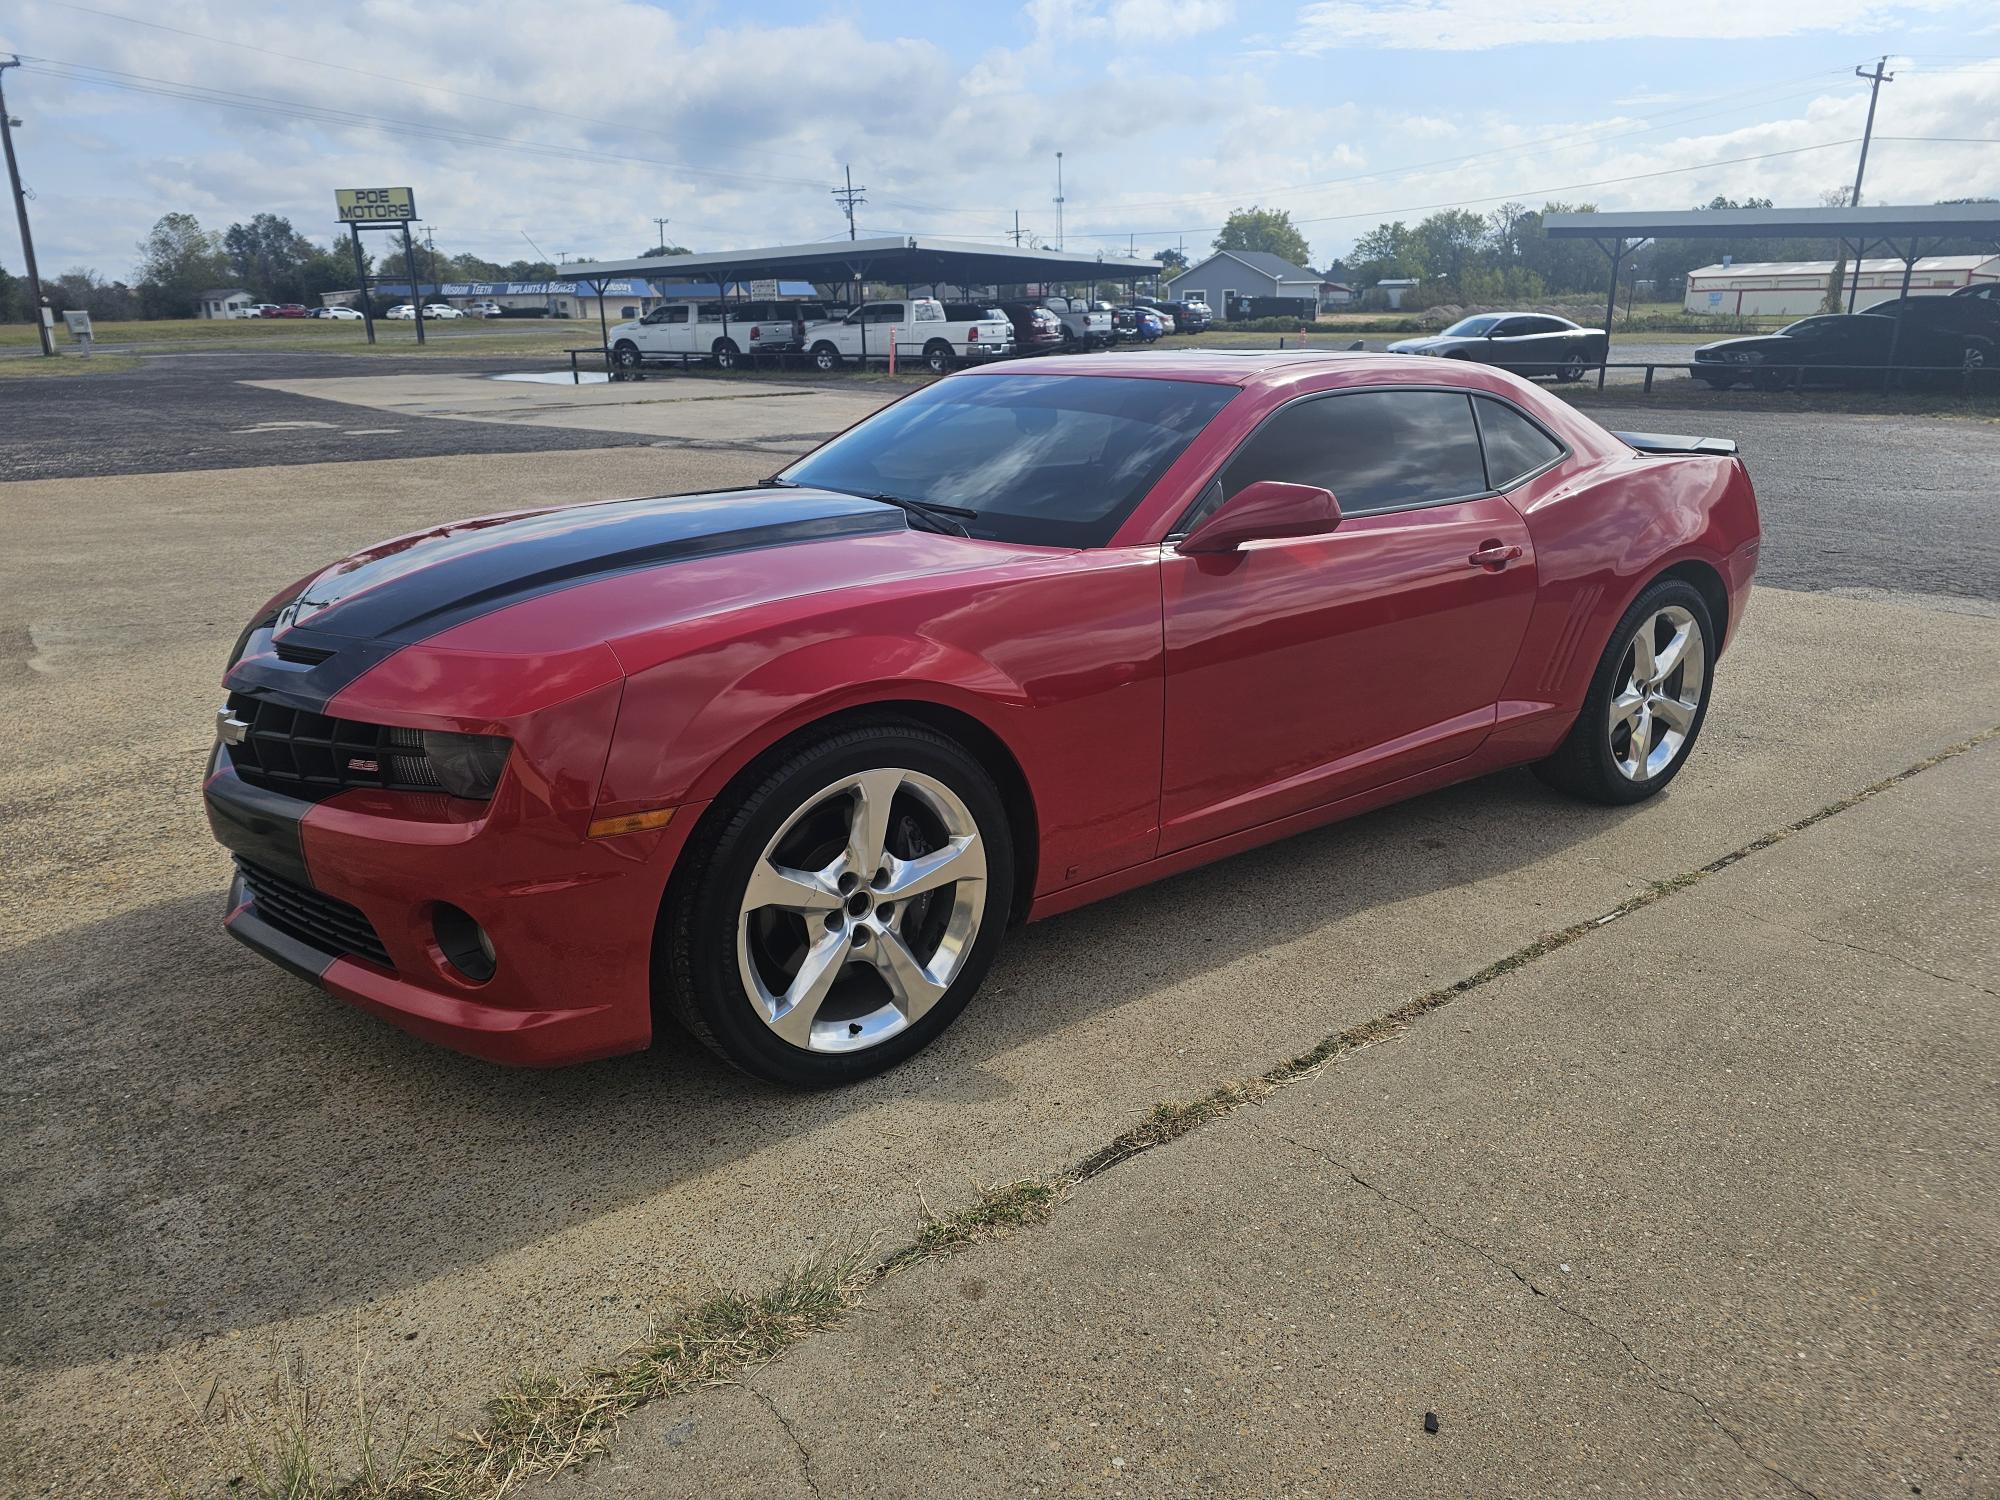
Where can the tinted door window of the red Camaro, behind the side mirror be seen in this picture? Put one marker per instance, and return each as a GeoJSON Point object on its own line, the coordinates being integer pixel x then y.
{"type": "Point", "coordinates": [1375, 449]}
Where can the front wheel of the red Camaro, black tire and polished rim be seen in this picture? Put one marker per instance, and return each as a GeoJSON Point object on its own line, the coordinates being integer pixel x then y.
{"type": "Point", "coordinates": [839, 913]}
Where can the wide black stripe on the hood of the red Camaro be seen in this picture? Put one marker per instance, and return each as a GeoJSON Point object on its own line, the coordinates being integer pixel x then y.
{"type": "Point", "coordinates": [357, 615]}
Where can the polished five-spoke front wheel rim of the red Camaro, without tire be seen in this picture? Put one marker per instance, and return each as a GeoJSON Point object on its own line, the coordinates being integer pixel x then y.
{"type": "Point", "coordinates": [861, 911]}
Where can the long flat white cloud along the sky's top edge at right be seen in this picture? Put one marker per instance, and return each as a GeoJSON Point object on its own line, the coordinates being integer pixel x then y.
{"type": "Point", "coordinates": [1473, 25]}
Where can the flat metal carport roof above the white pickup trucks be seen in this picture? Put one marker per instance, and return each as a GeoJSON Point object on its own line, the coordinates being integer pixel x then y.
{"type": "Point", "coordinates": [903, 259]}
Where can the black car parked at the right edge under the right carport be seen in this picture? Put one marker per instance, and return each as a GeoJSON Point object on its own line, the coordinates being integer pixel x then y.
{"type": "Point", "coordinates": [1843, 349]}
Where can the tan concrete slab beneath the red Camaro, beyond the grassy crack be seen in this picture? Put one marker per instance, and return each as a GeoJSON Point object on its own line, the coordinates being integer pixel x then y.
{"type": "Point", "coordinates": [209, 1167]}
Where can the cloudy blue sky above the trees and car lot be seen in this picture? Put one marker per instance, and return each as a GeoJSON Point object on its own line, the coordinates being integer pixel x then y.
{"type": "Point", "coordinates": [575, 123]}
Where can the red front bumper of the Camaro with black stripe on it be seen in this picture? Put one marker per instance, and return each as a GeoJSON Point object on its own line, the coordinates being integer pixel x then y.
{"type": "Point", "coordinates": [571, 919]}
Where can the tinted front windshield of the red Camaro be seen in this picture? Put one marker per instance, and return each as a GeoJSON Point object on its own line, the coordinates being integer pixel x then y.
{"type": "Point", "coordinates": [1049, 461]}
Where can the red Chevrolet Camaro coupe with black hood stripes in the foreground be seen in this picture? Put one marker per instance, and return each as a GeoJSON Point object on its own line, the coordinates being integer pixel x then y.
{"type": "Point", "coordinates": [785, 763]}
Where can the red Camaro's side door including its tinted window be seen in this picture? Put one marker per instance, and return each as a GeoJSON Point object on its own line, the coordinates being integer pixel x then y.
{"type": "Point", "coordinates": [1309, 669]}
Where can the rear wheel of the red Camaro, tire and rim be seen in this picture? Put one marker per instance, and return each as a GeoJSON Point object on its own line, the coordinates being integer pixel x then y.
{"type": "Point", "coordinates": [1647, 701]}
